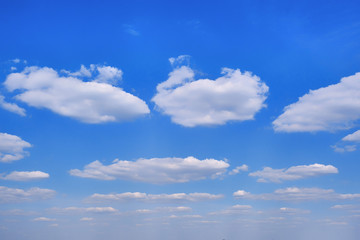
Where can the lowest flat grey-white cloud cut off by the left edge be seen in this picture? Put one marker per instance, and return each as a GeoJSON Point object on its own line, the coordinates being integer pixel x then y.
{"type": "Point", "coordinates": [12, 195]}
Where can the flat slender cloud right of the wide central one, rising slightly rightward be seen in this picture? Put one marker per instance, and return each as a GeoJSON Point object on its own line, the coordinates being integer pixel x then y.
{"type": "Point", "coordinates": [293, 173]}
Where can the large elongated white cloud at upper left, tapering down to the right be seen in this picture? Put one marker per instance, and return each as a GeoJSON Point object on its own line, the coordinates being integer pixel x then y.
{"type": "Point", "coordinates": [92, 101]}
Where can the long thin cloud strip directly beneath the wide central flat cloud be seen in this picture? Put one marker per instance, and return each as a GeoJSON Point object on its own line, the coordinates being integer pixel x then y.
{"type": "Point", "coordinates": [175, 197]}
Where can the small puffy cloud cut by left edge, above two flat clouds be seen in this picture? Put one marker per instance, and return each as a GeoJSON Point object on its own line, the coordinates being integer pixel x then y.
{"type": "Point", "coordinates": [12, 147]}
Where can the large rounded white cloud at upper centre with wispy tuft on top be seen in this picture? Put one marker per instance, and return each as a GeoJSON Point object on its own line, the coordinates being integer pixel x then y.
{"type": "Point", "coordinates": [236, 96]}
